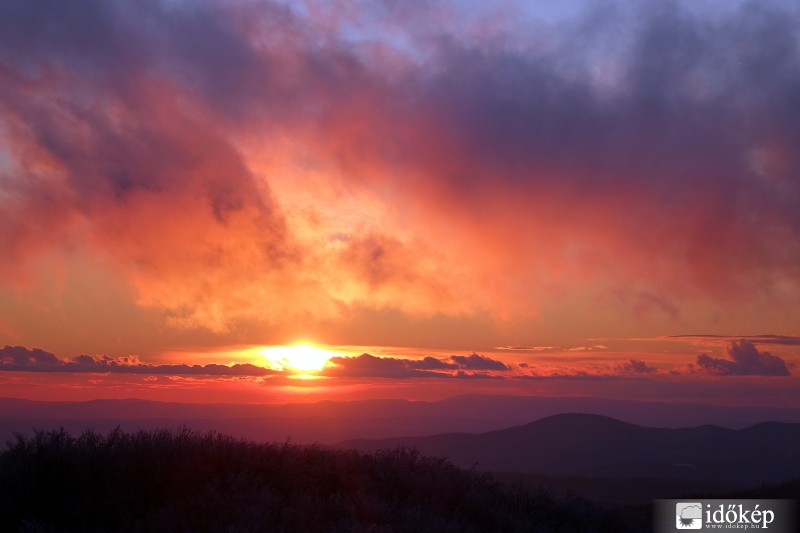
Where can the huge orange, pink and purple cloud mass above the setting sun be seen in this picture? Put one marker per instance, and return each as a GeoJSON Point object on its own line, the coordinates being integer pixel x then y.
{"type": "Point", "coordinates": [510, 183]}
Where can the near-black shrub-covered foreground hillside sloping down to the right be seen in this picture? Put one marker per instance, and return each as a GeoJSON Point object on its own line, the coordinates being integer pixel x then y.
{"type": "Point", "coordinates": [169, 480]}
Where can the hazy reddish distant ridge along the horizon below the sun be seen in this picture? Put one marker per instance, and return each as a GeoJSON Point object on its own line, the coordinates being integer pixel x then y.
{"type": "Point", "coordinates": [328, 422]}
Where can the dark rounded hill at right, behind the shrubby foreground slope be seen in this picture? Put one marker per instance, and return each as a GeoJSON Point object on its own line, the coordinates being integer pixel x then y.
{"type": "Point", "coordinates": [586, 447]}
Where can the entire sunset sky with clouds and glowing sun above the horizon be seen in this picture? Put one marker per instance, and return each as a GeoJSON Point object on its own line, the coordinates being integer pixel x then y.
{"type": "Point", "coordinates": [563, 198]}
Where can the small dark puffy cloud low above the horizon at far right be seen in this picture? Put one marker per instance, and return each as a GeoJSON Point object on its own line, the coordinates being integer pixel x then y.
{"type": "Point", "coordinates": [744, 360]}
